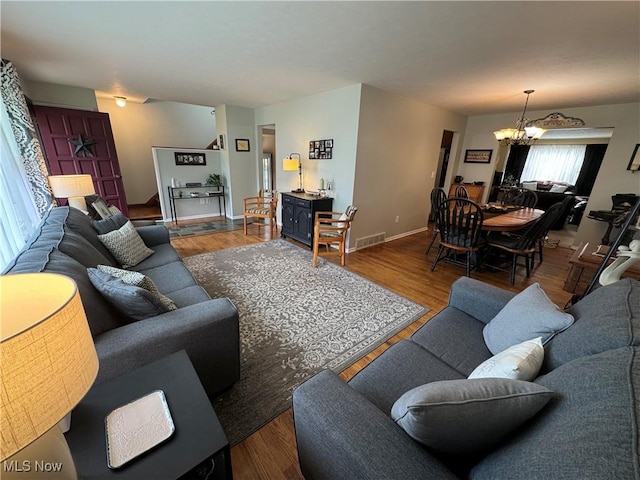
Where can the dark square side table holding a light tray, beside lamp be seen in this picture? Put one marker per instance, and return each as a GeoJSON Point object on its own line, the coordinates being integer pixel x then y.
{"type": "Point", "coordinates": [198, 436]}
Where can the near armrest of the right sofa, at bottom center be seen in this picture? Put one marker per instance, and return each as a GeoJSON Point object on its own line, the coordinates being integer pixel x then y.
{"type": "Point", "coordinates": [341, 435]}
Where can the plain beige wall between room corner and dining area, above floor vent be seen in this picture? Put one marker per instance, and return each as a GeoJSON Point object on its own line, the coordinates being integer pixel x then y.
{"type": "Point", "coordinates": [398, 150]}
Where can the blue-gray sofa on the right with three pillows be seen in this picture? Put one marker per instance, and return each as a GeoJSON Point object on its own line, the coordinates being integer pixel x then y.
{"type": "Point", "coordinates": [588, 430]}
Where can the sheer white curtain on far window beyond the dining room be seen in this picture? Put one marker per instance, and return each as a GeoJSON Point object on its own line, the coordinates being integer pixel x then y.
{"type": "Point", "coordinates": [559, 163]}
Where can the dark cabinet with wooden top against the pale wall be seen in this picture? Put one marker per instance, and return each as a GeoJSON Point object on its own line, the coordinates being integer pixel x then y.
{"type": "Point", "coordinates": [298, 212]}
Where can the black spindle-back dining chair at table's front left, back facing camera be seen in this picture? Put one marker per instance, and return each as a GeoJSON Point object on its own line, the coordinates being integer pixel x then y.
{"type": "Point", "coordinates": [459, 223]}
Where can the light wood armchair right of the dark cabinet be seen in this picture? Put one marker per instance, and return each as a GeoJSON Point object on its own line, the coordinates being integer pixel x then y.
{"type": "Point", "coordinates": [330, 229]}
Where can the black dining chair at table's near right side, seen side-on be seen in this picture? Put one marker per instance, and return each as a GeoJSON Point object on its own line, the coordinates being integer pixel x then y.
{"type": "Point", "coordinates": [524, 245]}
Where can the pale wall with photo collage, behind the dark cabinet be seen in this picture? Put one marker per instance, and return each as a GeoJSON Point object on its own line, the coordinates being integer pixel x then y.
{"type": "Point", "coordinates": [333, 115]}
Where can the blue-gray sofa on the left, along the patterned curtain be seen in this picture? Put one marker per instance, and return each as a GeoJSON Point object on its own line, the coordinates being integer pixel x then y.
{"type": "Point", "coordinates": [208, 329]}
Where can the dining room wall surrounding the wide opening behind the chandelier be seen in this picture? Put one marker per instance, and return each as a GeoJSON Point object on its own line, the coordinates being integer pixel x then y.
{"type": "Point", "coordinates": [613, 177]}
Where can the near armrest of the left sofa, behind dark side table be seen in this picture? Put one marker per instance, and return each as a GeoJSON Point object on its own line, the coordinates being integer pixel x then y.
{"type": "Point", "coordinates": [209, 332]}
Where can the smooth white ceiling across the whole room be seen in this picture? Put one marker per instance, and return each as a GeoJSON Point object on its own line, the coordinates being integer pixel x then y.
{"type": "Point", "coordinates": [469, 57]}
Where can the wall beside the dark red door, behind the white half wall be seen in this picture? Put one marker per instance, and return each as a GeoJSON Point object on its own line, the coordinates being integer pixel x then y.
{"type": "Point", "coordinates": [138, 127]}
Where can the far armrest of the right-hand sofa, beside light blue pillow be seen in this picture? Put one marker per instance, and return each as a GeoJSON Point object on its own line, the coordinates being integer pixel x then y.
{"type": "Point", "coordinates": [478, 299]}
